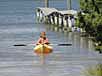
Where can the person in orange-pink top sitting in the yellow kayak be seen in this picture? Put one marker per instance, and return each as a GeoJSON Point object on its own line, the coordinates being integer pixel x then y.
{"type": "Point", "coordinates": [43, 39]}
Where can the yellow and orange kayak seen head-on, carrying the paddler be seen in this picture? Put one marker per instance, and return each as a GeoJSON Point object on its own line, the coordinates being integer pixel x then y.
{"type": "Point", "coordinates": [43, 49]}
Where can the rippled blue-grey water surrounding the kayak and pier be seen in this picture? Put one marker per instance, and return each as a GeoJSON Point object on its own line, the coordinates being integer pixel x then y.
{"type": "Point", "coordinates": [17, 25]}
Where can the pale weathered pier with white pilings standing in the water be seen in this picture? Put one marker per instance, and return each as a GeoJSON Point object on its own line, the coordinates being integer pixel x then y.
{"type": "Point", "coordinates": [63, 19]}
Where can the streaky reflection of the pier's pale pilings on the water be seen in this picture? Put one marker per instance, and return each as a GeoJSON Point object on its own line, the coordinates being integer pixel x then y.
{"type": "Point", "coordinates": [74, 38]}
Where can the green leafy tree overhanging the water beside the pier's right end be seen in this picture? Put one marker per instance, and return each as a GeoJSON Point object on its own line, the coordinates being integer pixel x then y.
{"type": "Point", "coordinates": [92, 20]}
